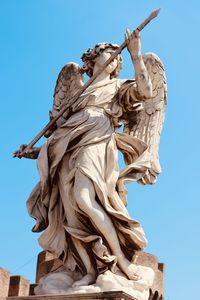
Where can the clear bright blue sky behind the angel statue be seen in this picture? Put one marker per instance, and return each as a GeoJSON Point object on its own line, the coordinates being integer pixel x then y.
{"type": "Point", "coordinates": [37, 38]}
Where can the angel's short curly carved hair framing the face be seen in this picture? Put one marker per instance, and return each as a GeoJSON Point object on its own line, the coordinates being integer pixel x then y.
{"type": "Point", "coordinates": [91, 54]}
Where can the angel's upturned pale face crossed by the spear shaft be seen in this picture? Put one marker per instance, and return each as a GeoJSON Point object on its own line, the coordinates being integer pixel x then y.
{"type": "Point", "coordinates": [103, 57]}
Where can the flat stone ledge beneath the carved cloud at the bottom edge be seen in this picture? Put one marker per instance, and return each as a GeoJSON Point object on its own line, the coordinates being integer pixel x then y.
{"type": "Point", "coordinates": [118, 295]}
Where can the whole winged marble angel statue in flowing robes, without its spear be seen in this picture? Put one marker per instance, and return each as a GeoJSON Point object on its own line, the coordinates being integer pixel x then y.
{"type": "Point", "coordinates": [80, 201]}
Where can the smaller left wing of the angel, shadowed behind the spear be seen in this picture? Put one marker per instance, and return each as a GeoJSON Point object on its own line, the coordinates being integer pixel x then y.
{"type": "Point", "coordinates": [68, 83]}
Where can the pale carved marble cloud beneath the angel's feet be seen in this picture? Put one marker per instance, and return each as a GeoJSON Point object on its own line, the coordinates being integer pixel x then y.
{"type": "Point", "coordinates": [62, 283]}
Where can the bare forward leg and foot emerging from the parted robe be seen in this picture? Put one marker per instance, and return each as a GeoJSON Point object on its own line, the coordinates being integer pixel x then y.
{"type": "Point", "coordinates": [85, 197]}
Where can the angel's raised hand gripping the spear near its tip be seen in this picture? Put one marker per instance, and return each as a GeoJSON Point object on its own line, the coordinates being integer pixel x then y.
{"type": "Point", "coordinates": [133, 43]}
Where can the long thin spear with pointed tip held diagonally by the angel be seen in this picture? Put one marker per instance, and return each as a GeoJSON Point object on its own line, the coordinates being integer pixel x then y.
{"type": "Point", "coordinates": [76, 99]}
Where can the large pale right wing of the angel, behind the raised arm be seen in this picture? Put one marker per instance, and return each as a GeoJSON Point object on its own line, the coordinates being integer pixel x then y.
{"type": "Point", "coordinates": [150, 119]}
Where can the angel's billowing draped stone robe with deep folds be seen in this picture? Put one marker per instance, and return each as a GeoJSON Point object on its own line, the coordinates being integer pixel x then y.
{"type": "Point", "coordinates": [87, 142]}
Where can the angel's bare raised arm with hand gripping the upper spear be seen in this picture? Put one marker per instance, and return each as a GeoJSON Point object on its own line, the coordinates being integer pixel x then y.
{"type": "Point", "coordinates": [143, 81]}
